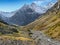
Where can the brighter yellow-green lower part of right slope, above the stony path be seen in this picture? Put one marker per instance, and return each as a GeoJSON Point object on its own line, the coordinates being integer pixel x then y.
{"type": "Point", "coordinates": [53, 28]}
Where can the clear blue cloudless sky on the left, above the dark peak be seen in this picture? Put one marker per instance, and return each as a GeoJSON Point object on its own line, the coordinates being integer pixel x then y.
{"type": "Point", "coordinates": [11, 5]}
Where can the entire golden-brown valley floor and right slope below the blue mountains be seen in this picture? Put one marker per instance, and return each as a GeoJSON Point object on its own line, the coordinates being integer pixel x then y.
{"type": "Point", "coordinates": [34, 33]}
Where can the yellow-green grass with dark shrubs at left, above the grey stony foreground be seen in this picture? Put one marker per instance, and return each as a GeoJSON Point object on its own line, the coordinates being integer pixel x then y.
{"type": "Point", "coordinates": [13, 32]}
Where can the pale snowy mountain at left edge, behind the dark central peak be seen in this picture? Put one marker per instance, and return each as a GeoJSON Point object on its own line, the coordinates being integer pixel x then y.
{"type": "Point", "coordinates": [6, 15]}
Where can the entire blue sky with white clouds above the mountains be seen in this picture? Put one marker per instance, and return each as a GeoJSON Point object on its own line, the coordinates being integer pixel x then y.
{"type": "Point", "coordinates": [12, 5]}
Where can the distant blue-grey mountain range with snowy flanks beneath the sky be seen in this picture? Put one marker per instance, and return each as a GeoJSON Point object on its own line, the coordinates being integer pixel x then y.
{"type": "Point", "coordinates": [24, 15]}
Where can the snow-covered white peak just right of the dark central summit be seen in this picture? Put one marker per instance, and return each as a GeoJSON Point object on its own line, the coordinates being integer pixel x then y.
{"type": "Point", "coordinates": [37, 8]}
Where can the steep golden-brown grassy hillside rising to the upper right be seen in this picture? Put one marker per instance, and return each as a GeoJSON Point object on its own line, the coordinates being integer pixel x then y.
{"type": "Point", "coordinates": [49, 23]}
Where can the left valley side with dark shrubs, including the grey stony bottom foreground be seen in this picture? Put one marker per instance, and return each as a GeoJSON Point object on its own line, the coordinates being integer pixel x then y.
{"type": "Point", "coordinates": [12, 35]}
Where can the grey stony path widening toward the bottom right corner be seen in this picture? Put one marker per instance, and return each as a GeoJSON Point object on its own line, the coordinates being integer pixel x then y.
{"type": "Point", "coordinates": [41, 39]}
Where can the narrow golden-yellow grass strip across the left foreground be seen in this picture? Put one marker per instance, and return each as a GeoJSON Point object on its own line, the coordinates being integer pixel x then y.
{"type": "Point", "coordinates": [15, 38]}
